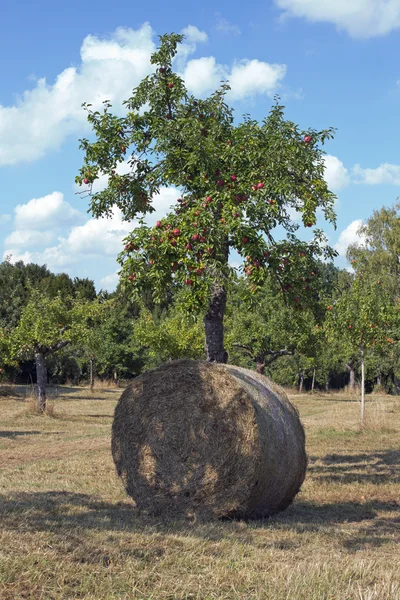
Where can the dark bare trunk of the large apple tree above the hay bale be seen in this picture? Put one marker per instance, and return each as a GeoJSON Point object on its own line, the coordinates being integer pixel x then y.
{"type": "Point", "coordinates": [214, 326]}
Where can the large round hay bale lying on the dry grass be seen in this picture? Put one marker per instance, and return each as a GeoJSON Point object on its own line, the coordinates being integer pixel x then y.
{"type": "Point", "coordinates": [207, 439]}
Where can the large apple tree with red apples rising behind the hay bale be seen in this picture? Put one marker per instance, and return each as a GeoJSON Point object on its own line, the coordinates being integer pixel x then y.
{"type": "Point", "coordinates": [238, 182]}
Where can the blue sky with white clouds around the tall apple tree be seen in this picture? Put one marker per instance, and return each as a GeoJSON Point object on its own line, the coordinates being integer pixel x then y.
{"type": "Point", "coordinates": [332, 64]}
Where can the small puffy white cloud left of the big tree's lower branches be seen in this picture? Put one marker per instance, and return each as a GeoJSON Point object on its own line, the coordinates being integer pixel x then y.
{"type": "Point", "coordinates": [48, 212]}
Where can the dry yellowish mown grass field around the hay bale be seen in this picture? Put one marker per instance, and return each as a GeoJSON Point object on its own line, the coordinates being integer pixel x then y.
{"type": "Point", "coordinates": [68, 531]}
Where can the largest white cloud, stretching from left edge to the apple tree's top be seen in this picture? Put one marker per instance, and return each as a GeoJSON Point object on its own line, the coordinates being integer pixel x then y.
{"type": "Point", "coordinates": [44, 116]}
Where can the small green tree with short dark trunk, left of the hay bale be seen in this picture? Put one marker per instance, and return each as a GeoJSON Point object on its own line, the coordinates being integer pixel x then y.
{"type": "Point", "coordinates": [46, 326]}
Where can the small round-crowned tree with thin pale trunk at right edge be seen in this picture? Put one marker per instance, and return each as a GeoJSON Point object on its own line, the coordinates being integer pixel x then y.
{"type": "Point", "coordinates": [364, 317]}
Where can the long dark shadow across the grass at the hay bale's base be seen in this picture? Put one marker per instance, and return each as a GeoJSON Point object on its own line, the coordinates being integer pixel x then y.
{"type": "Point", "coordinates": [53, 511]}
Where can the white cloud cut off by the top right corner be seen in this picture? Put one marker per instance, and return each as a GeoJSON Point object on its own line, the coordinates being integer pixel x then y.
{"type": "Point", "coordinates": [360, 18]}
